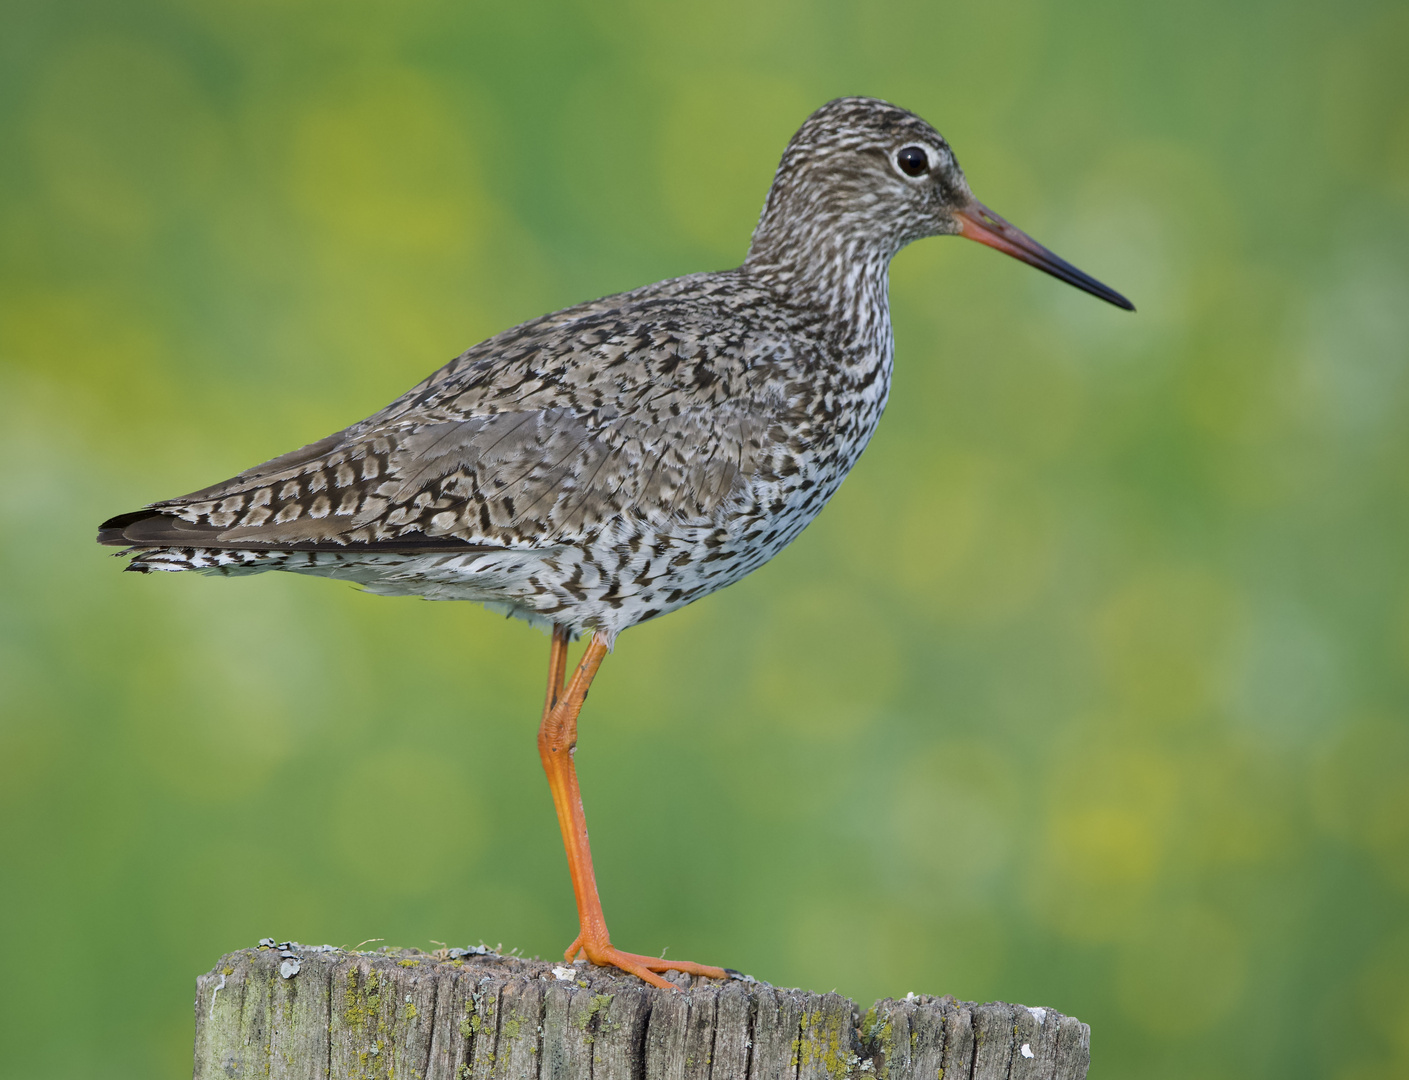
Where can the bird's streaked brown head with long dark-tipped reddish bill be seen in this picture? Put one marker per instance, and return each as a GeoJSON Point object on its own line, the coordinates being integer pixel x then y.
{"type": "Point", "coordinates": [863, 178]}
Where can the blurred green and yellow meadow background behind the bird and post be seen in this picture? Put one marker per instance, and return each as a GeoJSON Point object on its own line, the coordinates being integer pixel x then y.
{"type": "Point", "coordinates": [1088, 691]}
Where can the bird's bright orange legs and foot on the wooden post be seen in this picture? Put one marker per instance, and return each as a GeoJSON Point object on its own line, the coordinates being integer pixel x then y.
{"type": "Point", "coordinates": [557, 741]}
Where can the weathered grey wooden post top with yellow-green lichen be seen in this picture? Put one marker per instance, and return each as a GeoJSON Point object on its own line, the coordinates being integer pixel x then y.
{"type": "Point", "coordinates": [297, 1013]}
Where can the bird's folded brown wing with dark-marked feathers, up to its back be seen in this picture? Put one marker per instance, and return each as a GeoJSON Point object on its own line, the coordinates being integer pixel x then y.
{"type": "Point", "coordinates": [561, 437]}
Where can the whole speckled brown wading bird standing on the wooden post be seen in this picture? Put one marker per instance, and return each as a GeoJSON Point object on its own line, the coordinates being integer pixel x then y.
{"type": "Point", "coordinates": [612, 463]}
